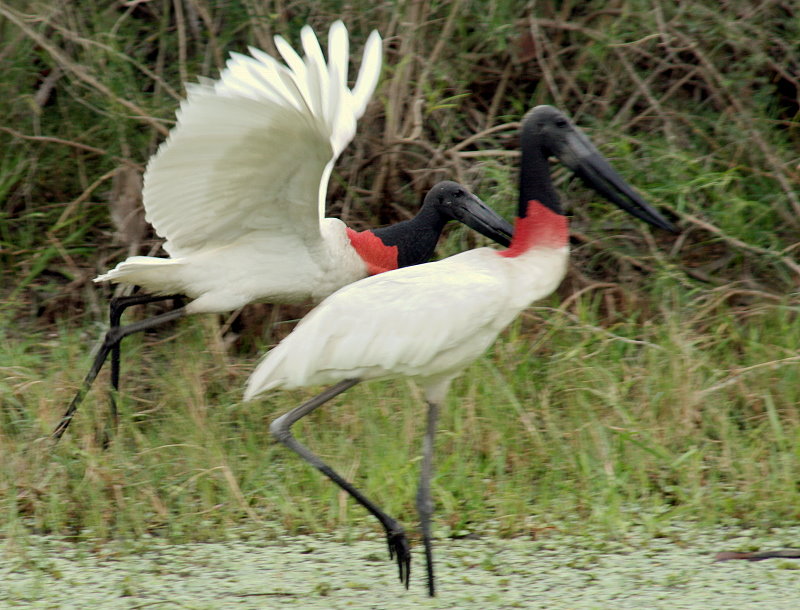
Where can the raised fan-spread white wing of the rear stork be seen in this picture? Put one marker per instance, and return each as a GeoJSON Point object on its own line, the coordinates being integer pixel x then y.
{"type": "Point", "coordinates": [253, 151]}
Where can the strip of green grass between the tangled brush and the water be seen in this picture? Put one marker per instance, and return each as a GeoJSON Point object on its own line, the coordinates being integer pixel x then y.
{"type": "Point", "coordinates": [694, 417]}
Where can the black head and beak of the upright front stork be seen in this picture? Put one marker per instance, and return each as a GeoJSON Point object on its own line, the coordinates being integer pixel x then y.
{"type": "Point", "coordinates": [550, 131]}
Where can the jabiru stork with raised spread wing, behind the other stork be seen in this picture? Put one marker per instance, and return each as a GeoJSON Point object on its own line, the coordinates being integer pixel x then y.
{"type": "Point", "coordinates": [238, 192]}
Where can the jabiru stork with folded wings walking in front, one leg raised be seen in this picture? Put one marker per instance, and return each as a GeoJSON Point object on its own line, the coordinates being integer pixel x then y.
{"type": "Point", "coordinates": [430, 321]}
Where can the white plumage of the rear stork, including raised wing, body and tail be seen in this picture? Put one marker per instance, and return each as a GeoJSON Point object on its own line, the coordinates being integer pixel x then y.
{"type": "Point", "coordinates": [249, 162]}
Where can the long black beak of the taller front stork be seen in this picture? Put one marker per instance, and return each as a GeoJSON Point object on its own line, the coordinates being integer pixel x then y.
{"type": "Point", "coordinates": [578, 153]}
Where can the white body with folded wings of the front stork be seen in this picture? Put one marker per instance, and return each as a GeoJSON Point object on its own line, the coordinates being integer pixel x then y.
{"type": "Point", "coordinates": [428, 322]}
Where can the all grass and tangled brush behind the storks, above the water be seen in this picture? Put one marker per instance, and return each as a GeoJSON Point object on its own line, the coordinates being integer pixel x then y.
{"type": "Point", "coordinates": [661, 383]}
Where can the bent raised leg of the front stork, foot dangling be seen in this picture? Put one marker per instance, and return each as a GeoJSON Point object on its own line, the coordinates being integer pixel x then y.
{"type": "Point", "coordinates": [281, 430]}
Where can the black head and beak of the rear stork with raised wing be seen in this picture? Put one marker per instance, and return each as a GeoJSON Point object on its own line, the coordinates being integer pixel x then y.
{"type": "Point", "coordinates": [454, 202]}
